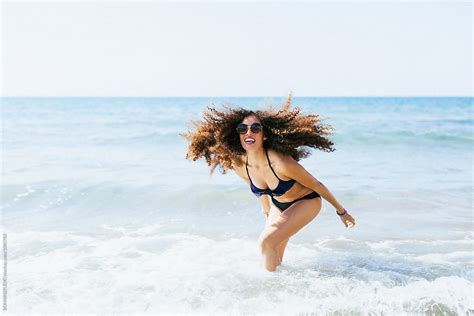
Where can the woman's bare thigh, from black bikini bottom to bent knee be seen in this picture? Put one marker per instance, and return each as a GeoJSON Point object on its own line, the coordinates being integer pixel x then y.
{"type": "Point", "coordinates": [281, 226]}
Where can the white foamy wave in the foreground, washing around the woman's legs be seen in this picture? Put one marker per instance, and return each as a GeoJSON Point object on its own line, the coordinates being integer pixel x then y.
{"type": "Point", "coordinates": [150, 270]}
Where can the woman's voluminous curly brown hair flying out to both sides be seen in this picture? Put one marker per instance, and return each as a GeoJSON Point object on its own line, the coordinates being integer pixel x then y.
{"type": "Point", "coordinates": [217, 140]}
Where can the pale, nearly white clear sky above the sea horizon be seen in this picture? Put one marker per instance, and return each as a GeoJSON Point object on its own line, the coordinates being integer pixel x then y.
{"type": "Point", "coordinates": [258, 48]}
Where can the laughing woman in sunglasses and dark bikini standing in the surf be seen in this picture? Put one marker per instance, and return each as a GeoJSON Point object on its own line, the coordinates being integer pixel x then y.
{"type": "Point", "coordinates": [262, 148]}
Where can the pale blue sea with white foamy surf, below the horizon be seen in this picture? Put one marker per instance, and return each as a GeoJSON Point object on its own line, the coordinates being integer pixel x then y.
{"type": "Point", "coordinates": [103, 214]}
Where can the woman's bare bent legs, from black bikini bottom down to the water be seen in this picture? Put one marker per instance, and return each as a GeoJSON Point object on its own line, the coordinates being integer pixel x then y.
{"type": "Point", "coordinates": [280, 228]}
